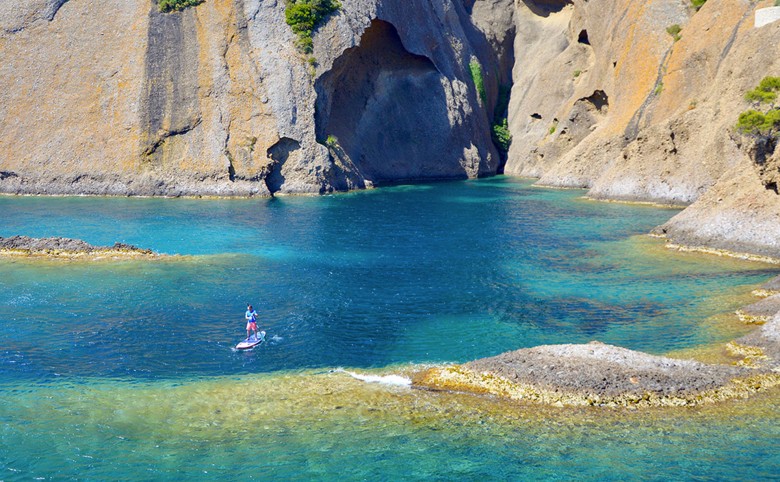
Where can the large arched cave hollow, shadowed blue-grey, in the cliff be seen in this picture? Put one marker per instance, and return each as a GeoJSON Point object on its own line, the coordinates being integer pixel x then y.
{"type": "Point", "coordinates": [386, 109]}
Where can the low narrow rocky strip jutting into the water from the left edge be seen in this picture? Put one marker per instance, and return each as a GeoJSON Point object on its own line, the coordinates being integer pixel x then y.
{"type": "Point", "coordinates": [67, 248]}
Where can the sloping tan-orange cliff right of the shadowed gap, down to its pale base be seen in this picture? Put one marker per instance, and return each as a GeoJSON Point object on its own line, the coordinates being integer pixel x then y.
{"type": "Point", "coordinates": [604, 98]}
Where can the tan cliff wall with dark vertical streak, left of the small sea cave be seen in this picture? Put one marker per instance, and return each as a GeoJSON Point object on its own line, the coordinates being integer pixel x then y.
{"type": "Point", "coordinates": [88, 108]}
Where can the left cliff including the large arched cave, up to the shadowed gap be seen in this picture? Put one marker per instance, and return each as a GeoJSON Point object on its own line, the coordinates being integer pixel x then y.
{"type": "Point", "coordinates": [117, 98]}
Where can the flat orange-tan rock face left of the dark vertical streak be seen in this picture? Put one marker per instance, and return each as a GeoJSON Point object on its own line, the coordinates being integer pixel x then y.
{"type": "Point", "coordinates": [68, 91]}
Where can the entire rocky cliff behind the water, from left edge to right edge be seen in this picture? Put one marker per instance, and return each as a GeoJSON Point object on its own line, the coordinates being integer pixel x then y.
{"type": "Point", "coordinates": [116, 97]}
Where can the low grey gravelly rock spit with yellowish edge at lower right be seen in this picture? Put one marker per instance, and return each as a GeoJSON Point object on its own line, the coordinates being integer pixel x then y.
{"type": "Point", "coordinates": [596, 374]}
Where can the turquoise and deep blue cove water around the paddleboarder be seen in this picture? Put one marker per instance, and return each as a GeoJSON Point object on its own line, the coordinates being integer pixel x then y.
{"type": "Point", "coordinates": [126, 370]}
